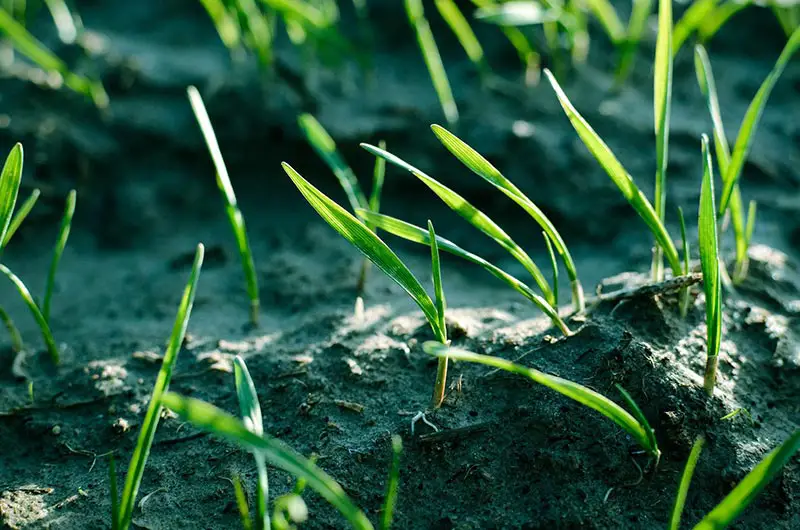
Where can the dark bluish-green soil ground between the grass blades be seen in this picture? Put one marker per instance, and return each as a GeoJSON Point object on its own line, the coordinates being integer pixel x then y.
{"type": "Point", "coordinates": [510, 454]}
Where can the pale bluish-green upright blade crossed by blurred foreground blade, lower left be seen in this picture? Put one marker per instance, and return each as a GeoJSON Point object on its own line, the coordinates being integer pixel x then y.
{"type": "Point", "coordinates": [251, 415]}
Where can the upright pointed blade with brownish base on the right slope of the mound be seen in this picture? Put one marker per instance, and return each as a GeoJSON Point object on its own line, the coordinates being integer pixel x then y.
{"type": "Point", "coordinates": [710, 264]}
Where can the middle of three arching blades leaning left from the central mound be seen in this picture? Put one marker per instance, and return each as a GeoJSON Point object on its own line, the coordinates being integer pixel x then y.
{"type": "Point", "coordinates": [473, 216]}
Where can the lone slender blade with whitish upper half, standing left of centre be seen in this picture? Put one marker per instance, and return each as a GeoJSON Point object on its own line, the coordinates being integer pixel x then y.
{"type": "Point", "coordinates": [235, 216]}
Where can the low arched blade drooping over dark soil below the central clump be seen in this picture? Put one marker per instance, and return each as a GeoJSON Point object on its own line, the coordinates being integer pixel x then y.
{"type": "Point", "coordinates": [574, 391]}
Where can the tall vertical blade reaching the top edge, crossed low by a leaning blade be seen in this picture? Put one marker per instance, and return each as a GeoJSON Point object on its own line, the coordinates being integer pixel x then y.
{"type": "Point", "coordinates": [662, 96]}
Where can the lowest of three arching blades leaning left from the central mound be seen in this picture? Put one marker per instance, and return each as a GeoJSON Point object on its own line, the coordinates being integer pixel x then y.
{"type": "Point", "coordinates": [420, 235]}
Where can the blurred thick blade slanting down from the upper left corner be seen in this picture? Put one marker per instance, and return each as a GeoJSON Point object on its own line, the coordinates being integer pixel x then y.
{"type": "Point", "coordinates": [34, 50]}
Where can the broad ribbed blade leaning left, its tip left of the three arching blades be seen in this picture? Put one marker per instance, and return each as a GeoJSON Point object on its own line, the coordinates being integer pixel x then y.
{"type": "Point", "coordinates": [365, 240]}
